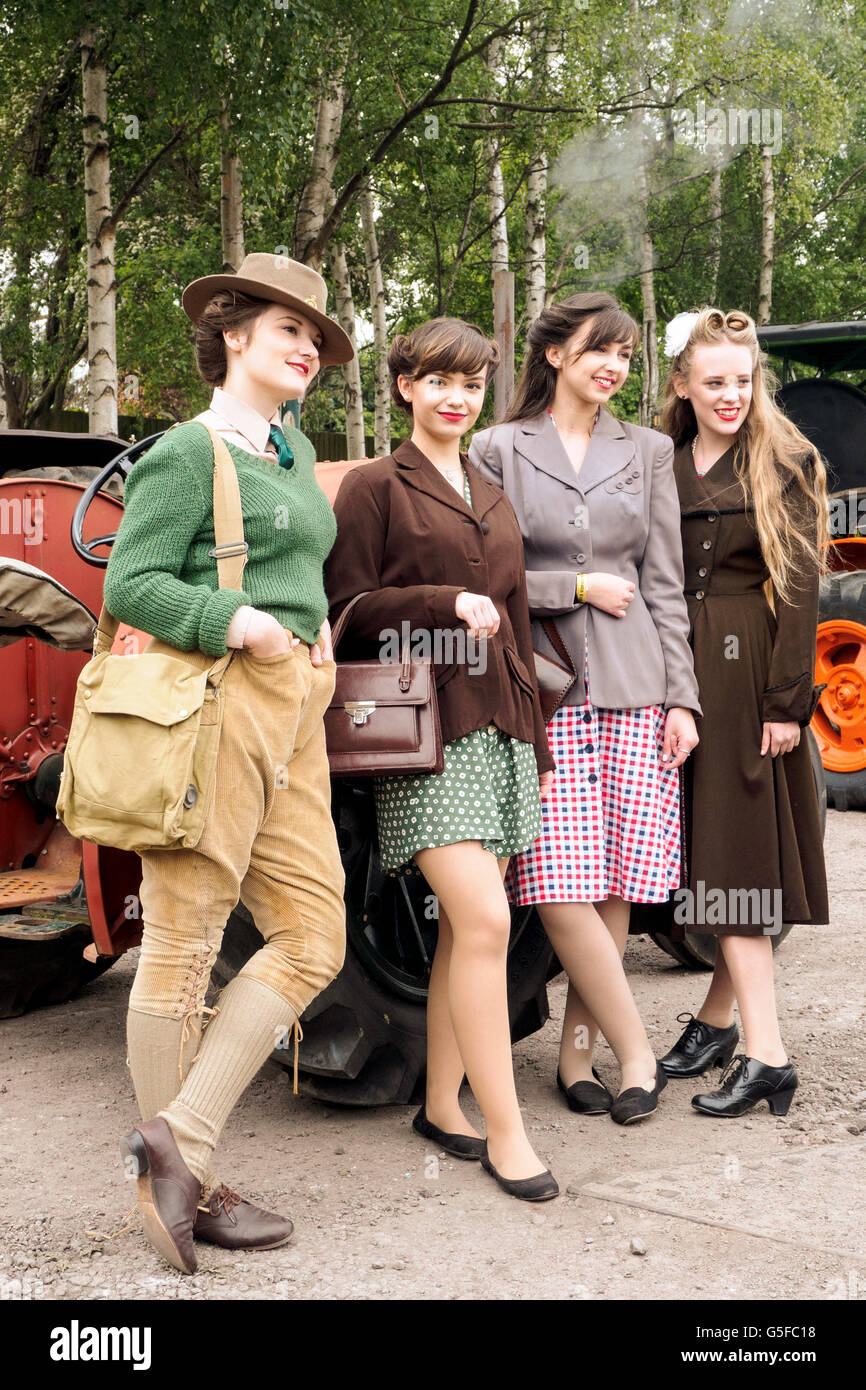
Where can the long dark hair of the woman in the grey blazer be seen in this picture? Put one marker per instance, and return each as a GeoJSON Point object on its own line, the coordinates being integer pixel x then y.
{"type": "Point", "coordinates": [610, 323]}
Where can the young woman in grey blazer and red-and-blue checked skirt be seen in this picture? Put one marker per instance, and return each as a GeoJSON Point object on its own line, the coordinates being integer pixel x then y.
{"type": "Point", "coordinates": [598, 511]}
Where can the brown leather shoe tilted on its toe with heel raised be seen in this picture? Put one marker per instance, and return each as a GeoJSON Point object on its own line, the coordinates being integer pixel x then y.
{"type": "Point", "coordinates": [169, 1193]}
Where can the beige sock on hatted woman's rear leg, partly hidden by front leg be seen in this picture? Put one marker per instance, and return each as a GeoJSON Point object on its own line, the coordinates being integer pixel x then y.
{"type": "Point", "coordinates": [154, 1046]}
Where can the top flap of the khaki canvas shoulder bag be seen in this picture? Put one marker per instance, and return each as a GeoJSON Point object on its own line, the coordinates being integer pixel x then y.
{"type": "Point", "coordinates": [149, 686]}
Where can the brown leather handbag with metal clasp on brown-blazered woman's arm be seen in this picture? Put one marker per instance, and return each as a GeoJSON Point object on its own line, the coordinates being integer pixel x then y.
{"type": "Point", "coordinates": [384, 717]}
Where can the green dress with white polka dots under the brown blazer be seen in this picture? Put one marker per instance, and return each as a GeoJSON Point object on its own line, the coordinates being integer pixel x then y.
{"type": "Point", "coordinates": [487, 792]}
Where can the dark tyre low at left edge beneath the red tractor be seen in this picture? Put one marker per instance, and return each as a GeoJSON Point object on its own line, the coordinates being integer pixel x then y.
{"type": "Point", "coordinates": [34, 974]}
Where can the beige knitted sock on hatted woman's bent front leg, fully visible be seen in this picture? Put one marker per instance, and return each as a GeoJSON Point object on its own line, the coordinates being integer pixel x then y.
{"type": "Point", "coordinates": [250, 1024]}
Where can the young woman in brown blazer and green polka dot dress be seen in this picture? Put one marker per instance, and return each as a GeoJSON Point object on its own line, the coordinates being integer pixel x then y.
{"type": "Point", "coordinates": [439, 550]}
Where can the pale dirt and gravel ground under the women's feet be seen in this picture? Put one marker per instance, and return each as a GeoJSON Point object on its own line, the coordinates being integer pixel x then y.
{"type": "Point", "coordinates": [761, 1209]}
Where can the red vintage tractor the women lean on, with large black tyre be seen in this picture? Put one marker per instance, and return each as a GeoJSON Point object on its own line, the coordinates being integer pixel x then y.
{"type": "Point", "coordinates": [365, 1036]}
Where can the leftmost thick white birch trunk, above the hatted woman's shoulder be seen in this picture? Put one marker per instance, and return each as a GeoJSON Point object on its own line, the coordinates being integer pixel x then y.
{"type": "Point", "coordinates": [102, 286]}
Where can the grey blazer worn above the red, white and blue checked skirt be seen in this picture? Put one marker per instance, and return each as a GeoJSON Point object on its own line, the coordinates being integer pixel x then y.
{"type": "Point", "coordinates": [621, 515]}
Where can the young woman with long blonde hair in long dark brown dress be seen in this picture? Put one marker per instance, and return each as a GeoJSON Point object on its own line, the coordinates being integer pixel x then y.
{"type": "Point", "coordinates": [754, 514]}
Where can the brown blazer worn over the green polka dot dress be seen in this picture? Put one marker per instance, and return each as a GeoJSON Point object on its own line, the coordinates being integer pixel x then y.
{"type": "Point", "coordinates": [411, 539]}
